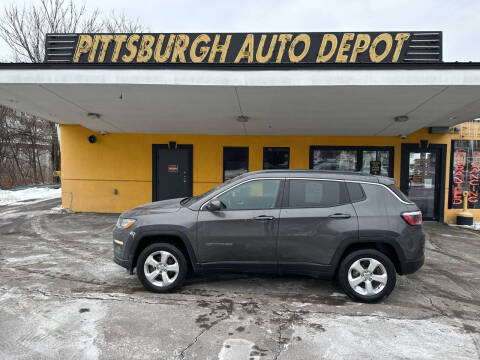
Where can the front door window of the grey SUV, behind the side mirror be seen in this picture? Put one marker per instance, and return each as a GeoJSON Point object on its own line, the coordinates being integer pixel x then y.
{"type": "Point", "coordinates": [252, 195]}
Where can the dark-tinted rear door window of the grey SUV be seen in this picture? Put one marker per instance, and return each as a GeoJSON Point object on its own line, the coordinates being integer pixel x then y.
{"type": "Point", "coordinates": [316, 193]}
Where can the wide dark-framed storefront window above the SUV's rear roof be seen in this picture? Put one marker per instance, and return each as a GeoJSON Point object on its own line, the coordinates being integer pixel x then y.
{"type": "Point", "coordinates": [370, 160]}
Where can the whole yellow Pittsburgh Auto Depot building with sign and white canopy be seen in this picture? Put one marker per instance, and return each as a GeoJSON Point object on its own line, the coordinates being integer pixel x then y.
{"type": "Point", "coordinates": [139, 126]}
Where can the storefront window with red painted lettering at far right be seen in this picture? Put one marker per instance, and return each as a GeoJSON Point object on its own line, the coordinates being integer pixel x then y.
{"type": "Point", "coordinates": [465, 174]}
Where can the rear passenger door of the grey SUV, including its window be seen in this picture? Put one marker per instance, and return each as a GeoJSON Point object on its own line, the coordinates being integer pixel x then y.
{"type": "Point", "coordinates": [316, 217]}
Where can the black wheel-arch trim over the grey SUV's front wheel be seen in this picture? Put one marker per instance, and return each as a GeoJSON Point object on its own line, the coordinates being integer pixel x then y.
{"type": "Point", "coordinates": [154, 230]}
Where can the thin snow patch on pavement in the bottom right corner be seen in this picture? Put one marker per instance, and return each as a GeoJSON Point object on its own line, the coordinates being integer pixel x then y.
{"type": "Point", "coordinates": [351, 337]}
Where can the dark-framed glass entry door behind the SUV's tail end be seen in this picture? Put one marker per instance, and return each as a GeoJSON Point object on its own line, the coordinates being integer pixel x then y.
{"type": "Point", "coordinates": [422, 178]}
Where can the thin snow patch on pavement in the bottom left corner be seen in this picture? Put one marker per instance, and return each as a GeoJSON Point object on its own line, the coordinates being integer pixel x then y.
{"type": "Point", "coordinates": [53, 329]}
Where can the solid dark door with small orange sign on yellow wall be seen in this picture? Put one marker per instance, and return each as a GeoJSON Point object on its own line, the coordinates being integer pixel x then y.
{"type": "Point", "coordinates": [172, 172]}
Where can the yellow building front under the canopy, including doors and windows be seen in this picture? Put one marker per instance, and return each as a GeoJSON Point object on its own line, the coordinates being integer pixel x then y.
{"type": "Point", "coordinates": [120, 171]}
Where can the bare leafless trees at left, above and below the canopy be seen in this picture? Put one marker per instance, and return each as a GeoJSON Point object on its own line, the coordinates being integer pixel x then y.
{"type": "Point", "coordinates": [24, 30]}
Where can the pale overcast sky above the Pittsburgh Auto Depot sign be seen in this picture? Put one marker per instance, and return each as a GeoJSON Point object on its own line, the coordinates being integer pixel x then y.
{"type": "Point", "coordinates": [458, 19]}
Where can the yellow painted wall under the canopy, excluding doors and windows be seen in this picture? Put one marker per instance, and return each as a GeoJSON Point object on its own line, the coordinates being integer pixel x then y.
{"type": "Point", "coordinates": [91, 172]}
